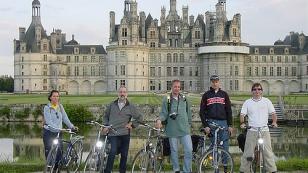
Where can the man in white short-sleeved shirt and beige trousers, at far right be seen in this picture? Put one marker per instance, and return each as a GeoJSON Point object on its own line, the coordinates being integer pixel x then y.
{"type": "Point", "coordinates": [257, 110]}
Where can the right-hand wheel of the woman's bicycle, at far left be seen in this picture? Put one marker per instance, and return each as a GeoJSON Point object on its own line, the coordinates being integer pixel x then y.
{"type": "Point", "coordinates": [75, 156]}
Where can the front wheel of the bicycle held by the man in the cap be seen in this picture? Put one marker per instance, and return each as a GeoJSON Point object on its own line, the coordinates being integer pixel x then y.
{"type": "Point", "coordinates": [216, 161]}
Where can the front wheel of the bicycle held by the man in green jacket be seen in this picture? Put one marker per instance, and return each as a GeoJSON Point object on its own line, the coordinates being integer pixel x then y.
{"type": "Point", "coordinates": [144, 161]}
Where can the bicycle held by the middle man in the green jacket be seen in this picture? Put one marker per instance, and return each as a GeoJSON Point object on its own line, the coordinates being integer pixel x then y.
{"type": "Point", "coordinates": [150, 158]}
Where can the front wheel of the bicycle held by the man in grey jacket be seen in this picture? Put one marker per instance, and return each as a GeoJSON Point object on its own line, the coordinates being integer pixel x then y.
{"type": "Point", "coordinates": [93, 162]}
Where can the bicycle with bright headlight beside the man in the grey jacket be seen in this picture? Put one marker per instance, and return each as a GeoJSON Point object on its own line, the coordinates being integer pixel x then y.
{"type": "Point", "coordinates": [97, 158]}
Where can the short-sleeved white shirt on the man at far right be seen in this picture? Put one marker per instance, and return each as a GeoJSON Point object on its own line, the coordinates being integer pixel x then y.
{"type": "Point", "coordinates": [257, 111]}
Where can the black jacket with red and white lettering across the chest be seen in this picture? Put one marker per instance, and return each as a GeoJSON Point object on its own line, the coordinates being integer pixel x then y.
{"type": "Point", "coordinates": [215, 106]}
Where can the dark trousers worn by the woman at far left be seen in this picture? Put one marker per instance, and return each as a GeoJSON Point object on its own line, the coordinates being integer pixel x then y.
{"type": "Point", "coordinates": [48, 138]}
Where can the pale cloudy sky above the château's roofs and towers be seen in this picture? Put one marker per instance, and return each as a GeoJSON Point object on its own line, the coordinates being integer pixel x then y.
{"type": "Point", "coordinates": [263, 21]}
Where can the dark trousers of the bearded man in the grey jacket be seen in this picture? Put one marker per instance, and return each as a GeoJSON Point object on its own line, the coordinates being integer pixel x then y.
{"type": "Point", "coordinates": [119, 145]}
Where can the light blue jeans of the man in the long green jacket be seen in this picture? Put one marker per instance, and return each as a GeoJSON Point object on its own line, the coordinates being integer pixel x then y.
{"type": "Point", "coordinates": [187, 144]}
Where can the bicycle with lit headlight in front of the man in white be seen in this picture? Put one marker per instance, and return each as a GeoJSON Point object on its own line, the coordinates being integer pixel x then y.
{"type": "Point", "coordinates": [257, 160]}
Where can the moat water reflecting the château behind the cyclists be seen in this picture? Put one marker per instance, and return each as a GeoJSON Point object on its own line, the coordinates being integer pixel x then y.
{"type": "Point", "coordinates": [23, 141]}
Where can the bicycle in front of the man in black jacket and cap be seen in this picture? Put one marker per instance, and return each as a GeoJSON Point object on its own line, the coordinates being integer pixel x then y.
{"type": "Point", "coordinates": [216, 159]}
